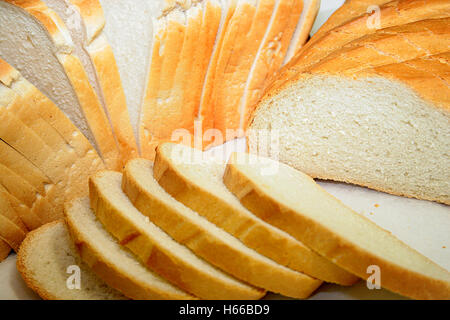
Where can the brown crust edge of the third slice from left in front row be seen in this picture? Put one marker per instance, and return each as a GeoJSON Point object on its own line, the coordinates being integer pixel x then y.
{"type": "Point", "coordinates": [156, 256]}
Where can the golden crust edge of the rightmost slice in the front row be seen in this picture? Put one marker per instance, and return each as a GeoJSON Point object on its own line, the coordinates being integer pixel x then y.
{"type": "Point", "coordinates": [344, 253]}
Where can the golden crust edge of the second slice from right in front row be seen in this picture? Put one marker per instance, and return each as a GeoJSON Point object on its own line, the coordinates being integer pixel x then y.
{"type": "Point", "coordinates": [252, 231]}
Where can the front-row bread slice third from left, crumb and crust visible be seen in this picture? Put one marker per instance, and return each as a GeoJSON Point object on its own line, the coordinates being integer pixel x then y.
{"type": "Point", "coordinates": [156, 249]}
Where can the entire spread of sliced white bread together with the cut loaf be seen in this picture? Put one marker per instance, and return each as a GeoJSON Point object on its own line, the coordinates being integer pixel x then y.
{"type": "Point", "coordinates": [88, 86]}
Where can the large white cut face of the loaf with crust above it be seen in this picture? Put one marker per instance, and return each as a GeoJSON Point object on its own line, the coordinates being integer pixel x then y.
{"type": "Point", "coordinates": [332, 133]}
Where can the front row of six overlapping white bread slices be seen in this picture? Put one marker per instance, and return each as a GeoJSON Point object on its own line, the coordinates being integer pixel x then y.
{"type": "Point", "coordinates": [190, 227]}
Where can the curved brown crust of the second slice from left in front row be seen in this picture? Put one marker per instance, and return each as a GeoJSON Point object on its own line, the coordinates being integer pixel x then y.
{"type": "Point", "coordinates": [110, 271]}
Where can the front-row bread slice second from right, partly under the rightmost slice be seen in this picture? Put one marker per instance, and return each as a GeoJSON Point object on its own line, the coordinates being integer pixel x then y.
{"type": "Point", "coordinates": [196, 181]}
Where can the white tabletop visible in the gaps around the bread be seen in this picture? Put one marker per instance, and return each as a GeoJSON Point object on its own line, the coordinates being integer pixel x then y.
{"type": "Point", "coordinates": [423, 225]}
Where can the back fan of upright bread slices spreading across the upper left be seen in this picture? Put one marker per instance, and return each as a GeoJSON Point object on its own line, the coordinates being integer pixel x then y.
{"type": "Point", "coordinates": [87, 85]}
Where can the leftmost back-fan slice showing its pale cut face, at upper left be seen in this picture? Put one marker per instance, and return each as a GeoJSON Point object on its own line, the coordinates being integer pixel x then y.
{"type": "Point", "coordinates": [37, 43]}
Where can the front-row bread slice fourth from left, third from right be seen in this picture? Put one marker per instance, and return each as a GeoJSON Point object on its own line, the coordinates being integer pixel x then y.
{"type": "Point", "coordinates": [206, 240]}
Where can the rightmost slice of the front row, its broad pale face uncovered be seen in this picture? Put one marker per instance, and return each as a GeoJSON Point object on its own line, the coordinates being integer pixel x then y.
{"type": "Point", "coordinates": [293, 202]}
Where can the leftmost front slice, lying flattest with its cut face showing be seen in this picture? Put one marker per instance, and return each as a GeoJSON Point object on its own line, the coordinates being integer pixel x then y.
{"type": "Point", "coordinates": [45, 259]}
